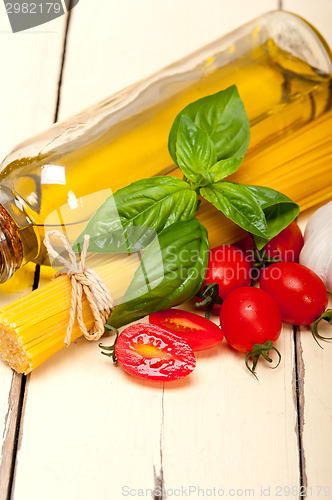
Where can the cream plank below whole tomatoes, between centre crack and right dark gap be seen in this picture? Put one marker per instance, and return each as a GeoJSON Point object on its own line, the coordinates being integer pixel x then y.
{"type": "Point", "coordinates": [223, 429]}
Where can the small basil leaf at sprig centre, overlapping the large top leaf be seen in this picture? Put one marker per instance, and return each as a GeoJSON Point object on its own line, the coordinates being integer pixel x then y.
{"type": "Point", "coordinates": [195, 151]}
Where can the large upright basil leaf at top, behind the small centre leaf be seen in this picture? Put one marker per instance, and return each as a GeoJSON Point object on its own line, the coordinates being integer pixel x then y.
{"type": "Point", "coordinates": [222, 116]}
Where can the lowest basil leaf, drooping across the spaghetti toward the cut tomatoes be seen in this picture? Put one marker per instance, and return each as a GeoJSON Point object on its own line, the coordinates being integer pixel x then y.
{"type": "Point", "coordinates": [172, 270]}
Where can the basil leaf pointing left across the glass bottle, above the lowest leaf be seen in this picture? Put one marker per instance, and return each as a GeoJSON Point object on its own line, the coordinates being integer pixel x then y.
{"type": "Point", "coordinates": [129, 219]}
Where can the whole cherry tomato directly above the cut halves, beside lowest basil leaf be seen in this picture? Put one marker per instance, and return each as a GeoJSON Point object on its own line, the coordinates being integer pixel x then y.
{"type": "Point", "coordinates": [228, 268]}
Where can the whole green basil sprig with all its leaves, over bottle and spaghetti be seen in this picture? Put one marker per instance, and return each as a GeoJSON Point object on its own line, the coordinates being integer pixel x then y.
{"type": "Point", "coordinates": [207, 141]}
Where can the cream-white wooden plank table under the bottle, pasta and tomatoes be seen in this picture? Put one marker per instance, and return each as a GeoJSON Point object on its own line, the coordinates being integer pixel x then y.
{"type": "Point", "coordinates": [78, 428]}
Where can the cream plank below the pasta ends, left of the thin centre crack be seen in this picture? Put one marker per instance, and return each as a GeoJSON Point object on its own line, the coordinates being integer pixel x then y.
{"type": "Point", "coordinates": [89, 429]}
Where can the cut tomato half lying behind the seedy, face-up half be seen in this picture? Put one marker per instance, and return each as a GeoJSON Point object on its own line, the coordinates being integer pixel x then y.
{"type": "Point", "coordinates": [200, 333]}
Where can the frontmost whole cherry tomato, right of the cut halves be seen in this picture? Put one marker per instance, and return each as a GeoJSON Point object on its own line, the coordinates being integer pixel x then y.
{"type": "Point", "coordinates": [249, 316]}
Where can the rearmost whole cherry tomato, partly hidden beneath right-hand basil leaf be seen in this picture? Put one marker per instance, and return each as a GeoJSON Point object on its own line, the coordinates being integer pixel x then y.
{"type": "Point", "coordinates": [286, 246]}
